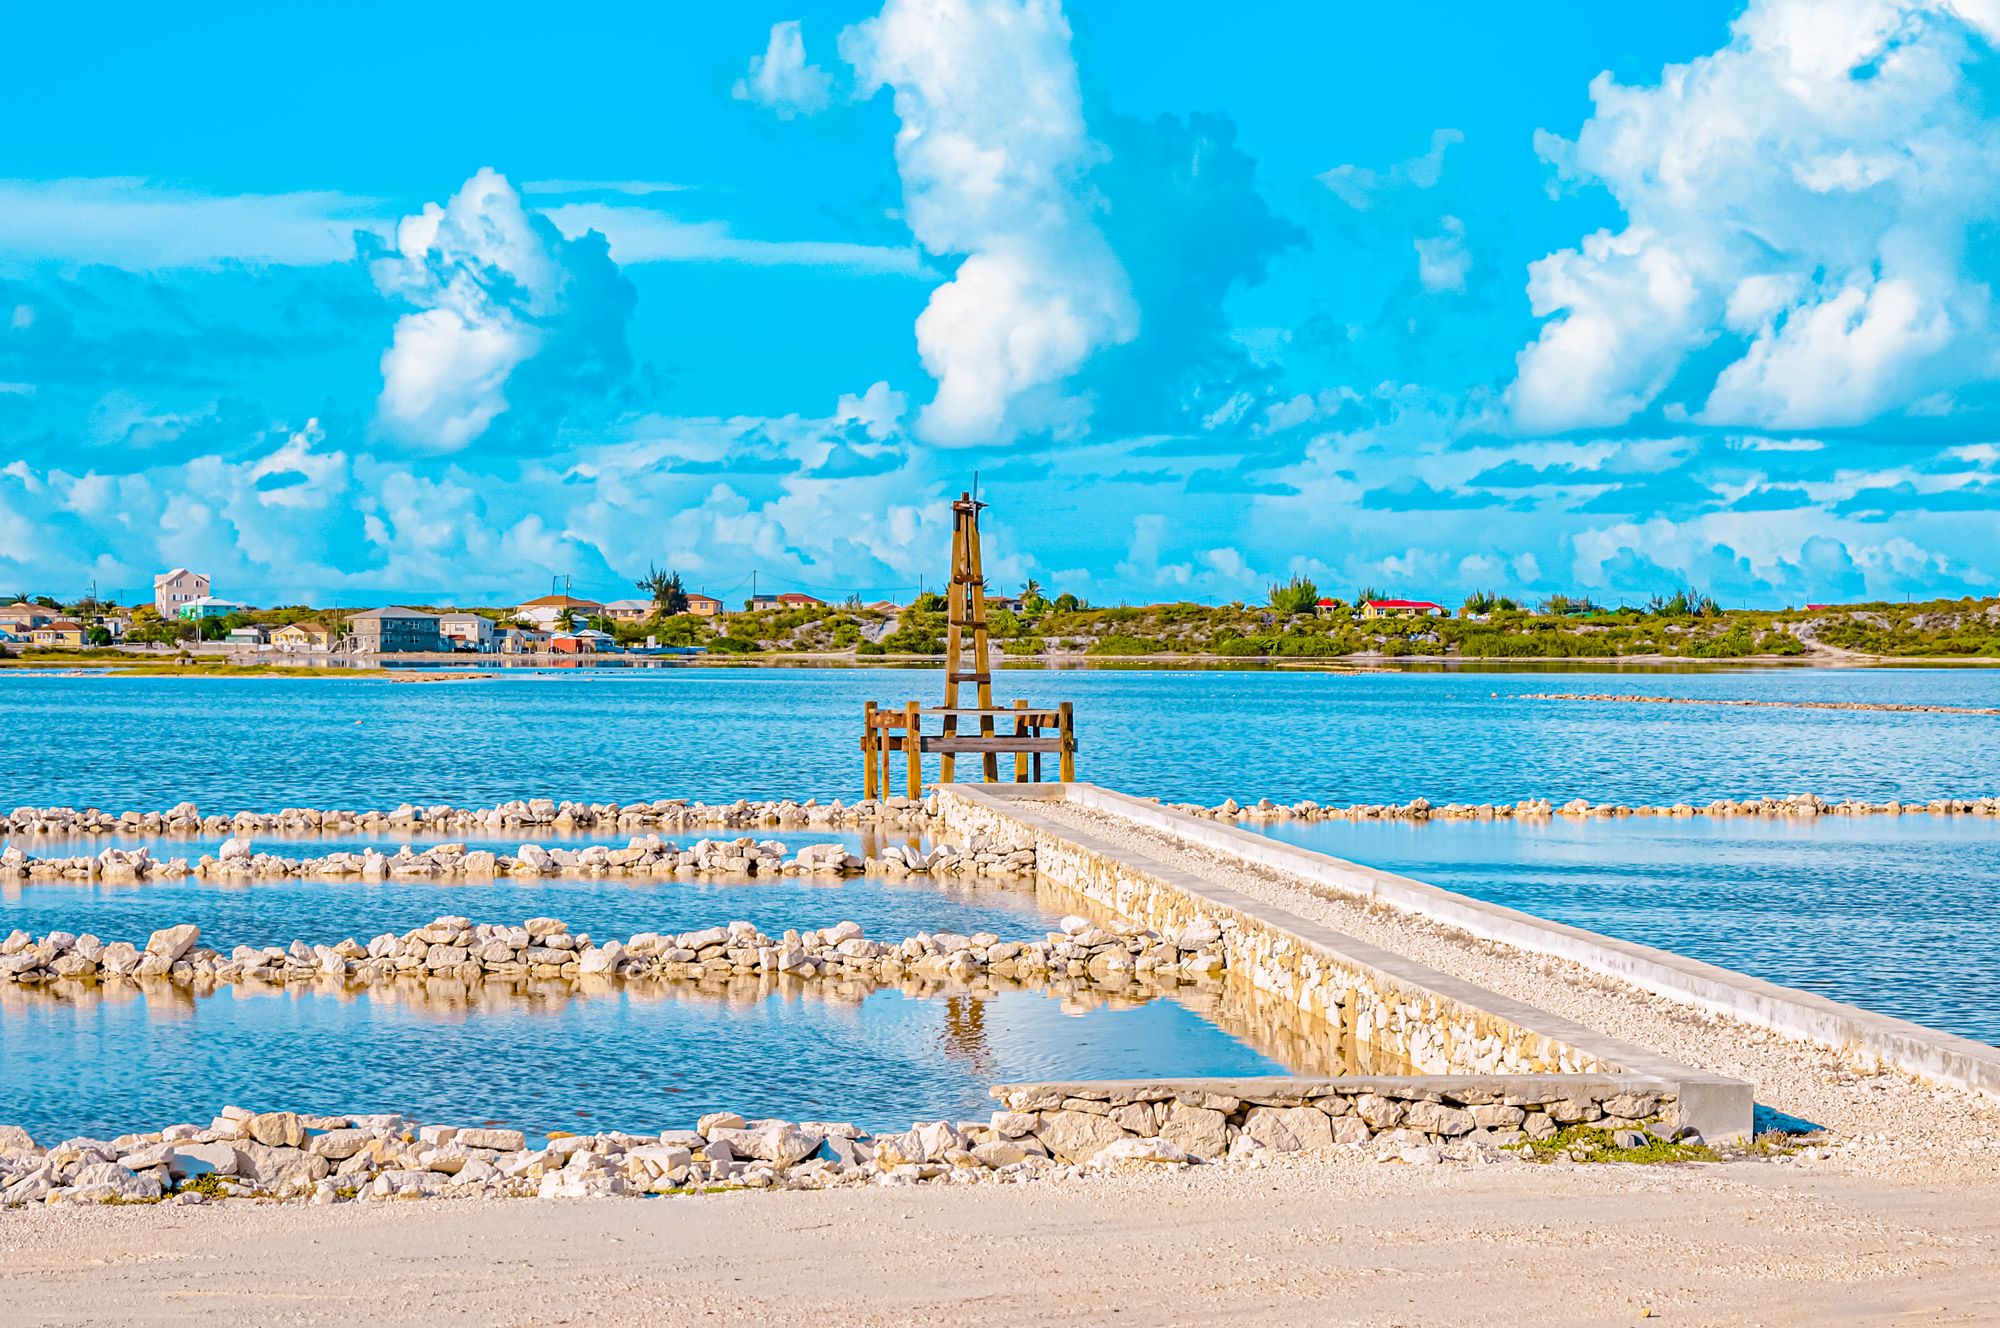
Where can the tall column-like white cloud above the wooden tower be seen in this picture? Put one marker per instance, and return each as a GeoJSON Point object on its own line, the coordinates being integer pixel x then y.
{"type": "Point", "coordinates": [993, 155]}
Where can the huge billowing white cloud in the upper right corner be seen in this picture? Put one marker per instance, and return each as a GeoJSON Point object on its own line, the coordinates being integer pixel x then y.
{"type": "Point", "coordinates": [1807, 201]}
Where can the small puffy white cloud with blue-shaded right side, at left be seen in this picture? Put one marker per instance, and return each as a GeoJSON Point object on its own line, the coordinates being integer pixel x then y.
{"type": "Point", "coordinates": [509, 313]}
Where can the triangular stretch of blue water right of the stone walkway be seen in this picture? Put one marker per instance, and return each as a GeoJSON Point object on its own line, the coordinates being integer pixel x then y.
{"type": "Point", "coordinates": [1895, 915]}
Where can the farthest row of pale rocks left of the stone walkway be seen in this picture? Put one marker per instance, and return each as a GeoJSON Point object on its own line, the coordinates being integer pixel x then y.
{"type": "Point", "coordinates": [523, 813]}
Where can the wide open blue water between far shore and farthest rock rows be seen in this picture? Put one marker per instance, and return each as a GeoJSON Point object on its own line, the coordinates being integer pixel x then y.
{"type": "Point", "coordinates": [1207, 735]}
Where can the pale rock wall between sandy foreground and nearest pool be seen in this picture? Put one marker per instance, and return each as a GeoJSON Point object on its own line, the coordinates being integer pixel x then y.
{"type": "Point", "coordinates": [1043, 1133]}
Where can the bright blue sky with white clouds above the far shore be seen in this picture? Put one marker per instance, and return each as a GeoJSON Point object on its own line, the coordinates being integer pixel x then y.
{"type": "Point", "coordinates": [445, 301]}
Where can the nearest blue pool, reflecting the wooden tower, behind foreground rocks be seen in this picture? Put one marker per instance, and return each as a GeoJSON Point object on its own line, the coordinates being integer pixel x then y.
{"type": "Point", "coordinates": [637, 1059]}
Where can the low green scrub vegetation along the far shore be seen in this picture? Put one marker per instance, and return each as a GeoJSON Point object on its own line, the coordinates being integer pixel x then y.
{"type": "Point", "coordinates": [1299, 623]}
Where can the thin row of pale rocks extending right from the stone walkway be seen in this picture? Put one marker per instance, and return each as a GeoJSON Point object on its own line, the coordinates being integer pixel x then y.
{"type": "Point", "coordinates": [1543, 809]}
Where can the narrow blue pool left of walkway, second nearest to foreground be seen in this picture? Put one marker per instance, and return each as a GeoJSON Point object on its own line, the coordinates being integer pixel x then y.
{"type": "Point", "coordinates": [279, 913]}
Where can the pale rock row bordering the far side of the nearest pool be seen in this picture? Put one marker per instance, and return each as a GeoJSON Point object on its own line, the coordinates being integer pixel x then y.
{"type": "Point", "coordinates": [547, 949]}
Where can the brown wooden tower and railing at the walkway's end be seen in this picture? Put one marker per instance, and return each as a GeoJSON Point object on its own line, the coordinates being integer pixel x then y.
{"type": "Point", "coordinates": [1035, 733]}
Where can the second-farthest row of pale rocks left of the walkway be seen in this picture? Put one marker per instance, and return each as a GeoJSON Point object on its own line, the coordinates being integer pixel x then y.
{"type": "Point", "coordinates": [649, 855]}
